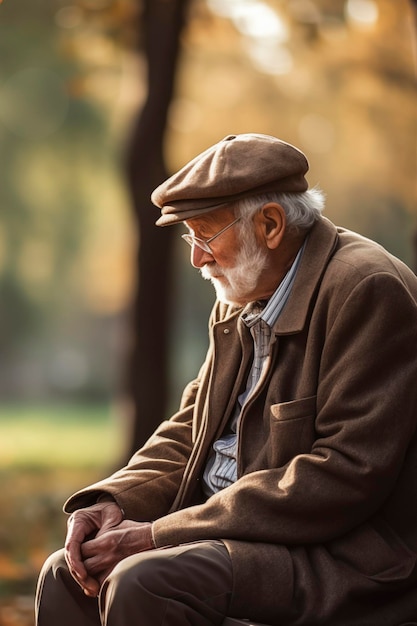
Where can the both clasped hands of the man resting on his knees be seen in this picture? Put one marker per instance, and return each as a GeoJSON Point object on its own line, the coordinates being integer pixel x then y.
{"type": "Point", "coordinates": [97, 539]}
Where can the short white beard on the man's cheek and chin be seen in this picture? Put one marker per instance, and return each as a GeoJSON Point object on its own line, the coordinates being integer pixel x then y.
{"type": "Point", "coordinates": [236, 284]}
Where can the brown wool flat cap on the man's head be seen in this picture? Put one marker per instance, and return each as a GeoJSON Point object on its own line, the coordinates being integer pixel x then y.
{"type": "Point", "coordinates": [236, 167]}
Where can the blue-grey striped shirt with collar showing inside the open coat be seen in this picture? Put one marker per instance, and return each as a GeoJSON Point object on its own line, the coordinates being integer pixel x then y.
{"type": "Point", "coordinates": [221, 468]}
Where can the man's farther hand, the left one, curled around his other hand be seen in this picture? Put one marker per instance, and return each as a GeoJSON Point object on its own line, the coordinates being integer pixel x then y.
{"type": "Point", "coordinates": [83, 523]}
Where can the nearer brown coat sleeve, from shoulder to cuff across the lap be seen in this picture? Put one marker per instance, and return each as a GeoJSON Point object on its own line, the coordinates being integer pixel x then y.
{"type": "Point", "coordinates": [364, 426]}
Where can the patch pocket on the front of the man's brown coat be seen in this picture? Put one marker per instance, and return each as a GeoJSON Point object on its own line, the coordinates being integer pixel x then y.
{"type": "Point", "coordinates": [292, 430]}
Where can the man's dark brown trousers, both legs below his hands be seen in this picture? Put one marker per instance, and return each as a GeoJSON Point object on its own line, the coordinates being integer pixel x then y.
{"type": "Point", "coordinates": [189, 584]}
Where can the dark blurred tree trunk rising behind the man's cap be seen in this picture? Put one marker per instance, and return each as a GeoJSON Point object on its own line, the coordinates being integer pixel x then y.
{"type": "Point", "coordinates": [147, 375]}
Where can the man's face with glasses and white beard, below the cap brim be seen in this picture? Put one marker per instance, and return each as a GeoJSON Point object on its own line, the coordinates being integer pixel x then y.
{"type": "Point", "coordinates": [236, 261]}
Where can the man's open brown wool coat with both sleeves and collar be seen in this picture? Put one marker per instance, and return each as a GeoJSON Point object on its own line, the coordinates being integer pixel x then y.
{"type": "Point", "coordinates": [321, 524]}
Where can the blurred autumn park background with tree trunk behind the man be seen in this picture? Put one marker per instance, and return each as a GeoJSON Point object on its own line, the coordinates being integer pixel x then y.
{"type": "Point", "coordinates": [99, 101]}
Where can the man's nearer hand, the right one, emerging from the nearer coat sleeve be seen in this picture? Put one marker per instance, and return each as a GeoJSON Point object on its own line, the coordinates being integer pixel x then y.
{"type": "Point", "coordinates": [101, 554]}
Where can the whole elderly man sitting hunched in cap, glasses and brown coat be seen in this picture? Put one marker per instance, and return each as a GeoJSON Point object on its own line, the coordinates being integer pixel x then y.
{"type": "Point", "coordinates": [285, 488]}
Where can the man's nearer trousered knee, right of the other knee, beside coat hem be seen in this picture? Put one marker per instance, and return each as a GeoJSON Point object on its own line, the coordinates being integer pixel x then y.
{"type": "Point", "coordinates": [193, 579]}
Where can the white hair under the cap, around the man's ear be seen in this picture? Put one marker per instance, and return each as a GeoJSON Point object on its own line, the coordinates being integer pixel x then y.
{"type": "Point", "coordinates": [302, 209]}
